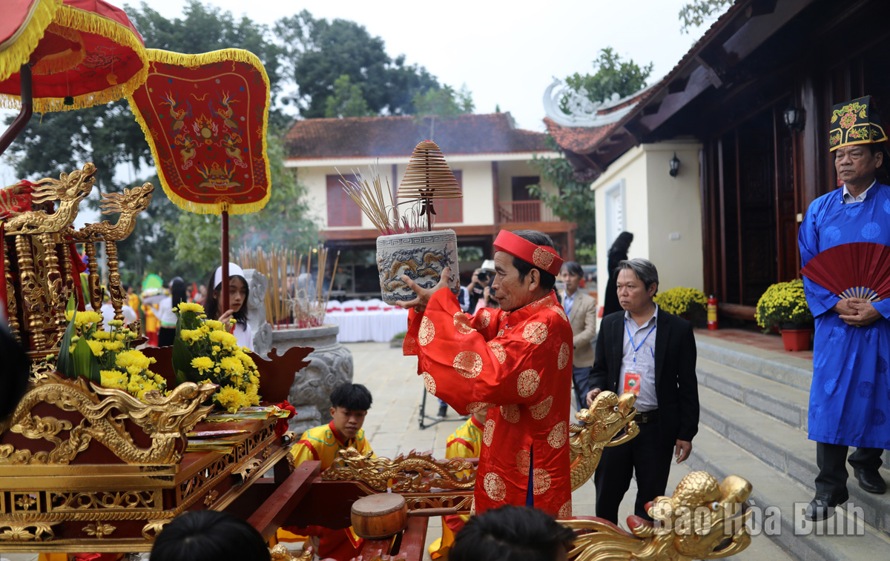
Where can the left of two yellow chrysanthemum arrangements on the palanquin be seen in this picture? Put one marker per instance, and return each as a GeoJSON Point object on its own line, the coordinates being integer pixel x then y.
{"type": "Point", "coordinates": [105, 357]}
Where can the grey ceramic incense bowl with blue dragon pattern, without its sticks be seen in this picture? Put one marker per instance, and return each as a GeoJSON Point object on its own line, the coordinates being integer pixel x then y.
{"type": "Point", "coordinates": [421, 256]}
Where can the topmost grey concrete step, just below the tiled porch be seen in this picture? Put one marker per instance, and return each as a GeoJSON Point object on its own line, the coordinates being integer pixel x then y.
{"type": "Point", "coordinates": [776, 399]}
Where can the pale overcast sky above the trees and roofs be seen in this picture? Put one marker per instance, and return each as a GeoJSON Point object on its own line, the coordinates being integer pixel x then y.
{"type": "Point", "coordinates": [505, 53]}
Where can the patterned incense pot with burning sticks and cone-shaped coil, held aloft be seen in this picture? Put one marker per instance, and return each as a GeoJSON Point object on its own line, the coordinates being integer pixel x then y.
{"type": "Point", "coordinates": [407, 244]}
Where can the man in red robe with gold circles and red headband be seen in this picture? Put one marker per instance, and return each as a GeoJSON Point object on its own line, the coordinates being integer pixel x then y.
{"type": "Point", "coordinates": [515, 362]}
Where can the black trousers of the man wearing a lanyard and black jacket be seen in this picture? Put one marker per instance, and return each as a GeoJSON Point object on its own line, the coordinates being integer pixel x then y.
{"type": "Point", "coordinates": [648, 456]}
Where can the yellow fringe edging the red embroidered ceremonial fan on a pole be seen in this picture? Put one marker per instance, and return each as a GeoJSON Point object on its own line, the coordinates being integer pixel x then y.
{"type": "Point", "coordinates": [223, 55]}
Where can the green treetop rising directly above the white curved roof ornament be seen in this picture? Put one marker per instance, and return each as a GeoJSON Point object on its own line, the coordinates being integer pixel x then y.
{"type": "Point", "coordinates": [611, 75]}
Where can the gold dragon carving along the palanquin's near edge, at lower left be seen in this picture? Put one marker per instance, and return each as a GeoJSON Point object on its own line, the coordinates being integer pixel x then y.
{"type": "Point", "coordinates": [165, 418]}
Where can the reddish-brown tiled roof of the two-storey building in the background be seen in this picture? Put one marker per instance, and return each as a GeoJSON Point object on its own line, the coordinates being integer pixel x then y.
{"type": "Point", "coordinates": [376, 137]}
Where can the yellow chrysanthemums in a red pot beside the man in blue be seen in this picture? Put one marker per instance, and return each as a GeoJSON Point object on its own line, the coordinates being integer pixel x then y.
{"type": "Point", "coordinates": [784, 306]}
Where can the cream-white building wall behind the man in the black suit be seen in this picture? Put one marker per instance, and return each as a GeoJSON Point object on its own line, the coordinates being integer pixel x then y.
{"type": "Point", "coordinates": [662, 212]}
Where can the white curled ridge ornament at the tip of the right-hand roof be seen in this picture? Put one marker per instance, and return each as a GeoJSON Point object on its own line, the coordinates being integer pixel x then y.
{"type": "Point", "coordinates": [582, 111]}
